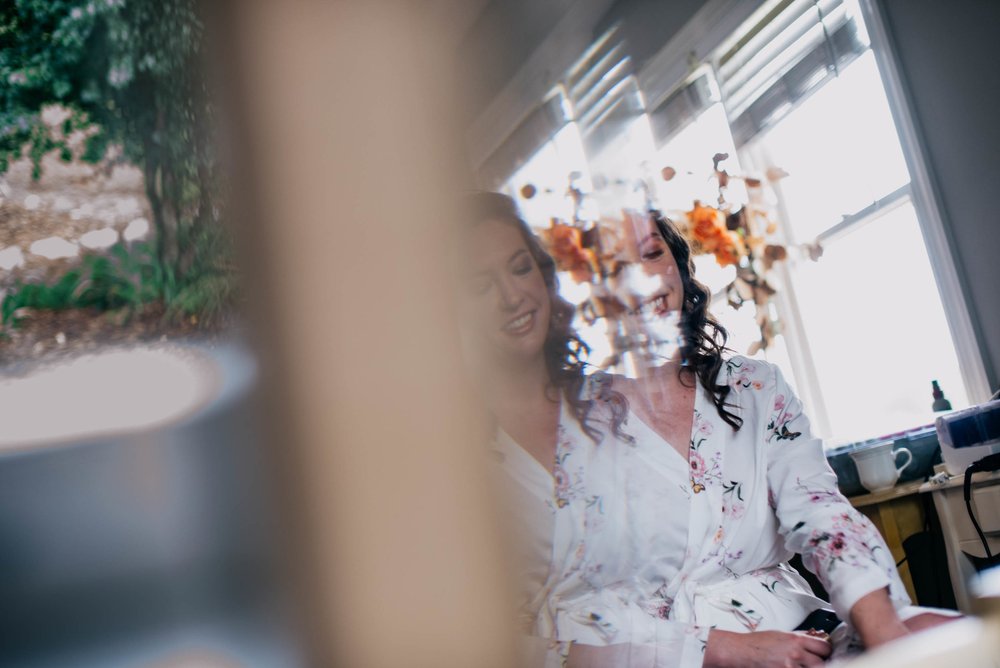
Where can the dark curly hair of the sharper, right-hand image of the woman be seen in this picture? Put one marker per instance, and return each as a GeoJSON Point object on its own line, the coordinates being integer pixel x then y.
{"type": "Point", "coordinates": [704, 339]}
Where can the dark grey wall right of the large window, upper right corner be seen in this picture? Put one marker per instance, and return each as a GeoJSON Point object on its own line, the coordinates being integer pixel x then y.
{"type": "Point", "coordinates": [947, 55]}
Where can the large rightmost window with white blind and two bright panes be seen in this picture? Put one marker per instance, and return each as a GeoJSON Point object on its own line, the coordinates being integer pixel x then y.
{"type": "Point", "coordinates": [865, 325]}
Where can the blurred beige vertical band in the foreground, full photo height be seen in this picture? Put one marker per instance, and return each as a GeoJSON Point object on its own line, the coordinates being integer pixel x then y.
{"type": "Point", "coordinates": [350, 166]}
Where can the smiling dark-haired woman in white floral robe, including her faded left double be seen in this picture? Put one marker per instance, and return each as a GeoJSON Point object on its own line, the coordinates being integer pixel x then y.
{"type": "Point", "coordinates": [656, 513]}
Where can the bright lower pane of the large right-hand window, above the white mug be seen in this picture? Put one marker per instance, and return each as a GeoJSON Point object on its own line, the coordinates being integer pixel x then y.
{"type": "Point", "coordinates": [876, 329]}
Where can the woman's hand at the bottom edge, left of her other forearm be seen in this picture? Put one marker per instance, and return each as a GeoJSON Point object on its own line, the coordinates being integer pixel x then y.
{"type": "Point", "coordinates": [765, 649]}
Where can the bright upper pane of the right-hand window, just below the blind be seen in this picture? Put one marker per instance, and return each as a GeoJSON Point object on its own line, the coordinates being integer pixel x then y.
{"type": "Point", "coordinates": [840, 148]}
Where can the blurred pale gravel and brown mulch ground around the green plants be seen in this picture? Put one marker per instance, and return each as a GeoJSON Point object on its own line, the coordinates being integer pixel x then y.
{"type": "Point", "coordinates": [70, 200]}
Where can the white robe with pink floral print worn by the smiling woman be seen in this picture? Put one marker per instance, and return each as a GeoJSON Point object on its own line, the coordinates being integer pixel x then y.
{"type": "Point", "coordinates": [630, 546]}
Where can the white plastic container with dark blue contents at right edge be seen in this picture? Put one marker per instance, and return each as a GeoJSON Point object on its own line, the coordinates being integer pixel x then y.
{"type": "Point", "coordinates": [968, 435]}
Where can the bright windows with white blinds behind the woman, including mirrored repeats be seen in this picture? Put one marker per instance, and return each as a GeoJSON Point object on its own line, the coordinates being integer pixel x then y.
{"type": "Point", "coordinates": [864, 328]}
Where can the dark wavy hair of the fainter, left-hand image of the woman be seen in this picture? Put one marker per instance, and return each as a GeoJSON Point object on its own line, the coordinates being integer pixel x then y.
{"type": "Point", "coordinates": [565, 353]}
